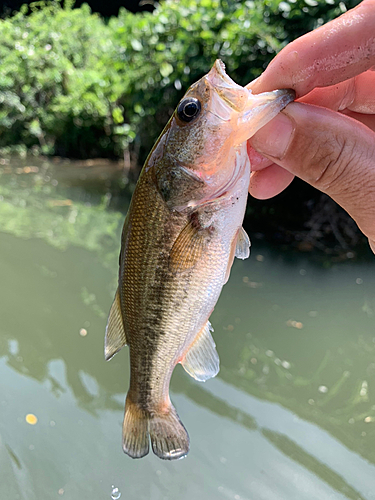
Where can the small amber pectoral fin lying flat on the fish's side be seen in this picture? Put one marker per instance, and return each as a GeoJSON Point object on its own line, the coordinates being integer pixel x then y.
{"type": "Point", "coordinates": [188, 249]}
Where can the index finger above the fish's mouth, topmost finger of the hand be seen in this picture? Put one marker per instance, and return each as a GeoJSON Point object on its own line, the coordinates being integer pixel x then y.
{"type": "Point", "coordinates": [333, 53]}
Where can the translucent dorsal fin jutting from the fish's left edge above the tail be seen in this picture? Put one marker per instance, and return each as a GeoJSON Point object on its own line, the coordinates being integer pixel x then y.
{"type": "Point", "coordinates": [115, 337]}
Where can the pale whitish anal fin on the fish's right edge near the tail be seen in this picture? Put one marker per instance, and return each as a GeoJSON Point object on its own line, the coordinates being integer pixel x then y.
{"type": "Point", "coordinates": [202, 360]}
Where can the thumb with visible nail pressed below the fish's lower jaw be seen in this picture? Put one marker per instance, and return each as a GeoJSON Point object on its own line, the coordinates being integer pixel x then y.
{"type": "Point", "coordinates": [330, 151]}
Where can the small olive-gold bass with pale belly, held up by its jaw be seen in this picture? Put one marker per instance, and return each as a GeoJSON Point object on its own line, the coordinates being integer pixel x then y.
{"type": "Point", "coordinates": [181, 234]}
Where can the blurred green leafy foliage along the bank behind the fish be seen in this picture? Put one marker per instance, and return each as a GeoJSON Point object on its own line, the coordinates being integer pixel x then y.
{"type": "Point", "coordinates": [74, 85]}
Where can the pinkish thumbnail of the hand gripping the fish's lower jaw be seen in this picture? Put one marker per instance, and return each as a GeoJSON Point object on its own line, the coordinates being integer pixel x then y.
{"type": "Point", "coordinates": [273, 139]}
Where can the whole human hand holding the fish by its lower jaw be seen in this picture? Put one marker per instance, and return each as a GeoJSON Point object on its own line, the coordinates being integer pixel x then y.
{"type": "Point", "coordinates": [332, 147]}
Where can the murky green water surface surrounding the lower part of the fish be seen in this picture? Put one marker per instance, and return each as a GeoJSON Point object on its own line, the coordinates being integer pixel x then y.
{"type": "Point", "coordinates": [290, 416]}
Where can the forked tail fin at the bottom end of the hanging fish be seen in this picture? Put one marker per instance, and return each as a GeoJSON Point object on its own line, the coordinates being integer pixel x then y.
{"type": "Point", "coordinates": [169, 437]}
